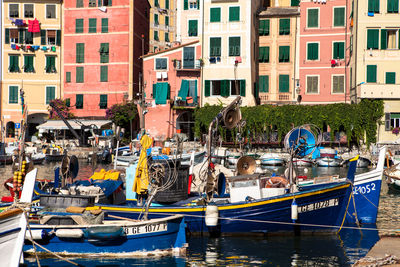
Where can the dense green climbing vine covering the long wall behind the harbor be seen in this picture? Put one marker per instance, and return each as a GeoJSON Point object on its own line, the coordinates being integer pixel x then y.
{"type": "Point", "coordinates": [355, 120]}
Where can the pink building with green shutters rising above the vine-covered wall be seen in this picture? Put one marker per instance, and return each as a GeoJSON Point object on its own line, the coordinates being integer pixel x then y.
{"type": "Point", "coordinates": [324, 37]}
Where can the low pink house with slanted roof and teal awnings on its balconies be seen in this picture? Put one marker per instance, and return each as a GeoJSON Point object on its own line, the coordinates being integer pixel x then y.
{"type": "Point", "coordinates": [172, 86]}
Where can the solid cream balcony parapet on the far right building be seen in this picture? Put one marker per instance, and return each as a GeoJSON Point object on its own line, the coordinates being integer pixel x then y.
{"type": "Point", "coordinates": [374, 90]}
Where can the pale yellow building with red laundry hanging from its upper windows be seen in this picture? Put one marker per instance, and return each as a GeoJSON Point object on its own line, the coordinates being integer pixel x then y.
{"type": "Point", "coordinates": [31, 49]}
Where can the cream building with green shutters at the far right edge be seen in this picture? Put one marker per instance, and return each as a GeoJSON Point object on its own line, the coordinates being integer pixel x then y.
{"type": "Point", "coordinates": [375, 53]}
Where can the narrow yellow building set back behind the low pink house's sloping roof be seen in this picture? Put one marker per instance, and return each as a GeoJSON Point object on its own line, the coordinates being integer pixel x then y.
{"type": "Point", "coordinates": [162, 24]}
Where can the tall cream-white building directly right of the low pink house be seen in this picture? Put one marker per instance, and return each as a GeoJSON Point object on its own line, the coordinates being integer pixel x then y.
{"type": "Point", "coordinates": [229, 42]}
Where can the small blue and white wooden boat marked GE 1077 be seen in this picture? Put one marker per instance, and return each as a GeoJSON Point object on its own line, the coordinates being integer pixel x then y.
{"type": "Point", "coordinates": [110, 238]}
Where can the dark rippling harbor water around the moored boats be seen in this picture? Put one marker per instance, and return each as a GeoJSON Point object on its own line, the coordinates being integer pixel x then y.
{"type": "Point", "coordinates": [318, 250]}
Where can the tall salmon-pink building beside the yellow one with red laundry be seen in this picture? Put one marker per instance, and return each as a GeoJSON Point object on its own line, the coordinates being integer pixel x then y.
{"type": "Point", "coordinates": [102, 48]}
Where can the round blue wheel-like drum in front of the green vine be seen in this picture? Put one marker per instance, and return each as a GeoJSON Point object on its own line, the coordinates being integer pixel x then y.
{"type": "Point", "coordinates": [302, 140]}
